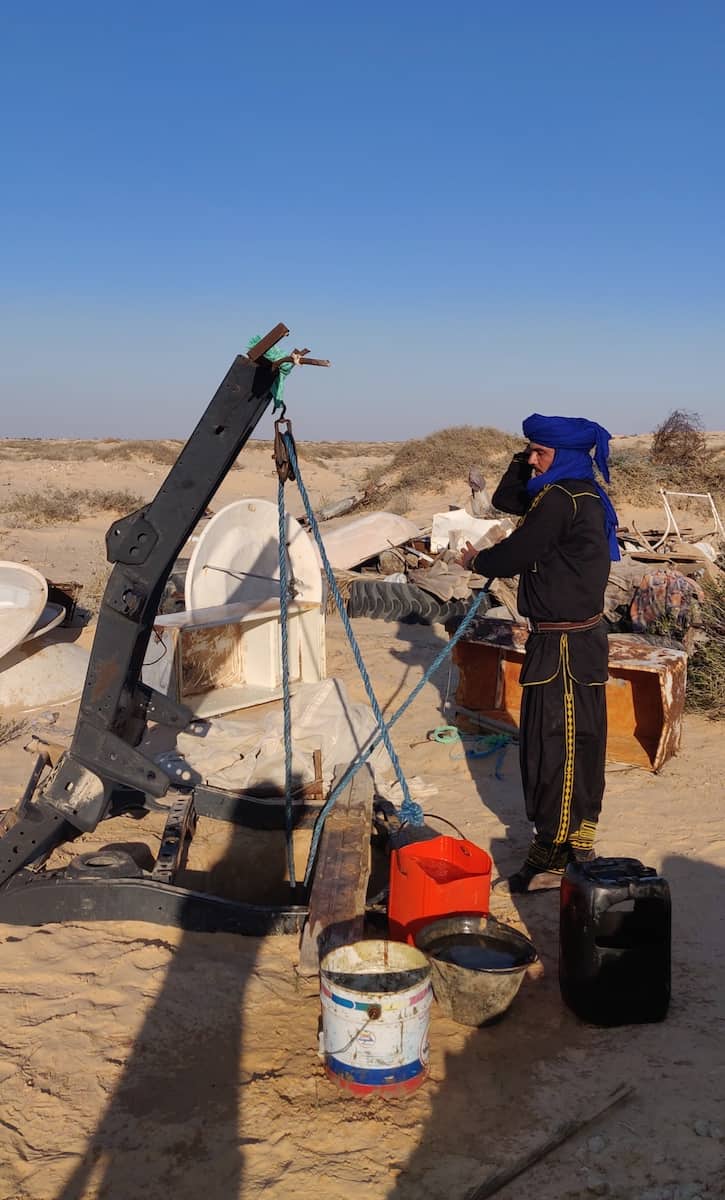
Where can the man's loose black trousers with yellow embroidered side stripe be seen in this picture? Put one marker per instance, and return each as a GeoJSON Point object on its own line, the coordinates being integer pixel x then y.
{"type": "Point", "coordinates": [564, 741]}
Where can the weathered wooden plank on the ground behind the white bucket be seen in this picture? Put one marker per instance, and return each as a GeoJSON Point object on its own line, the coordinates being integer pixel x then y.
{"type": "Point", "coordinates": [341, 874]}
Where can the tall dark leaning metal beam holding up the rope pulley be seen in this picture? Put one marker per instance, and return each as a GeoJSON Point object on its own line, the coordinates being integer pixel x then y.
{"type": "Point", "coordinates": [116, 707]}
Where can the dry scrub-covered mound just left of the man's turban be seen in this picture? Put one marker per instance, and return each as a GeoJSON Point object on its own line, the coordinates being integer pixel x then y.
{"type": "Point", "coordinates": [442, 459]}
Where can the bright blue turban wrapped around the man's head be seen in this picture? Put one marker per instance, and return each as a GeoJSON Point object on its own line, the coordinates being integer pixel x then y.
{"type": "Point", "coordinates": [574, 439]}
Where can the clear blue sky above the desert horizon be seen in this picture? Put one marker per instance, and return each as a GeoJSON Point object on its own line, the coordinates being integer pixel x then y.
{"type": "Point", "coordinates": [476, 211]}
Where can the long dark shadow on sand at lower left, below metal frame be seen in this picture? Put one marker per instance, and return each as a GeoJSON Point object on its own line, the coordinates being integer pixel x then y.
{"type": "Point", "coordinates": [173, 1126]}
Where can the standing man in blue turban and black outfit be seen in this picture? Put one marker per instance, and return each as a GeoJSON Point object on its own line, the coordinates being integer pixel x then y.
{"type": "Point", "coordinates": [562, 551]}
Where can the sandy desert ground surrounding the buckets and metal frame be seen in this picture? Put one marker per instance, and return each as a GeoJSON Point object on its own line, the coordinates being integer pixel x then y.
{"type": "Point", "coordinates": [139, 1060]}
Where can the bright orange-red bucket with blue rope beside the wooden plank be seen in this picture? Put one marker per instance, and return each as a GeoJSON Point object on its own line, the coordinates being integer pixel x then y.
{"type": "Point", "coordinates": [441, 878]}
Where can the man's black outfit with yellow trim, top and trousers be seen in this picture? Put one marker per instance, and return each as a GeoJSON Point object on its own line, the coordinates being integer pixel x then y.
{"type": "Point", "coordinates": [562, 556]}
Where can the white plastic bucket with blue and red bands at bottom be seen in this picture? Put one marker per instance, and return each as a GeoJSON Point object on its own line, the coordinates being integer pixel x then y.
{"type": "Point", "coordinates": [376, 1009]}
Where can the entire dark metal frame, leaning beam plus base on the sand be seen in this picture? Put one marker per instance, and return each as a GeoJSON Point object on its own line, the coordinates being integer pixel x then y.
{"type": "Point", "coordinates": [116, 710]}
